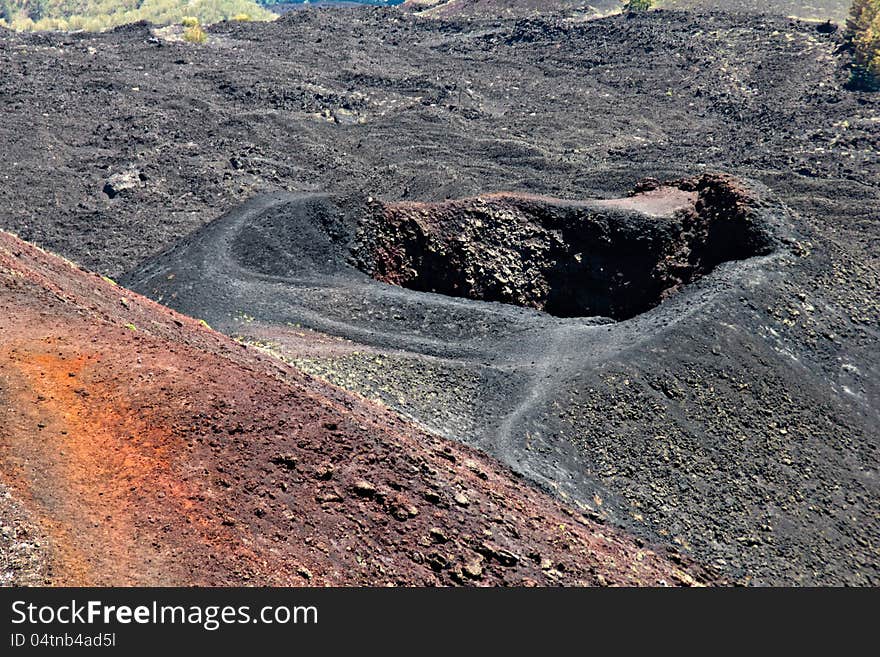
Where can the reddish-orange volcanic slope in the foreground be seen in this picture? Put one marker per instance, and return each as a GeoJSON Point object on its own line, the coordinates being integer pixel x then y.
{"type": "Point", "coordinates": [143, 448]}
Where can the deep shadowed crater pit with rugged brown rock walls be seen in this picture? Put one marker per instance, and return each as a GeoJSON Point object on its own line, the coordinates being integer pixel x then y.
{"type": "Point", "coordinates": [614, 258]}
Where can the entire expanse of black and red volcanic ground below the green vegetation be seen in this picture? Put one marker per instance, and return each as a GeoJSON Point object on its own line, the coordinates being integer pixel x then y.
{"type": "Point", "coordinates": [407, 299]}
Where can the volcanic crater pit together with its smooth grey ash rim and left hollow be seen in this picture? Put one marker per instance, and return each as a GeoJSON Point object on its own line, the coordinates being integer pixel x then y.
{"type": "Point", "coordinates": [360, 268]}
